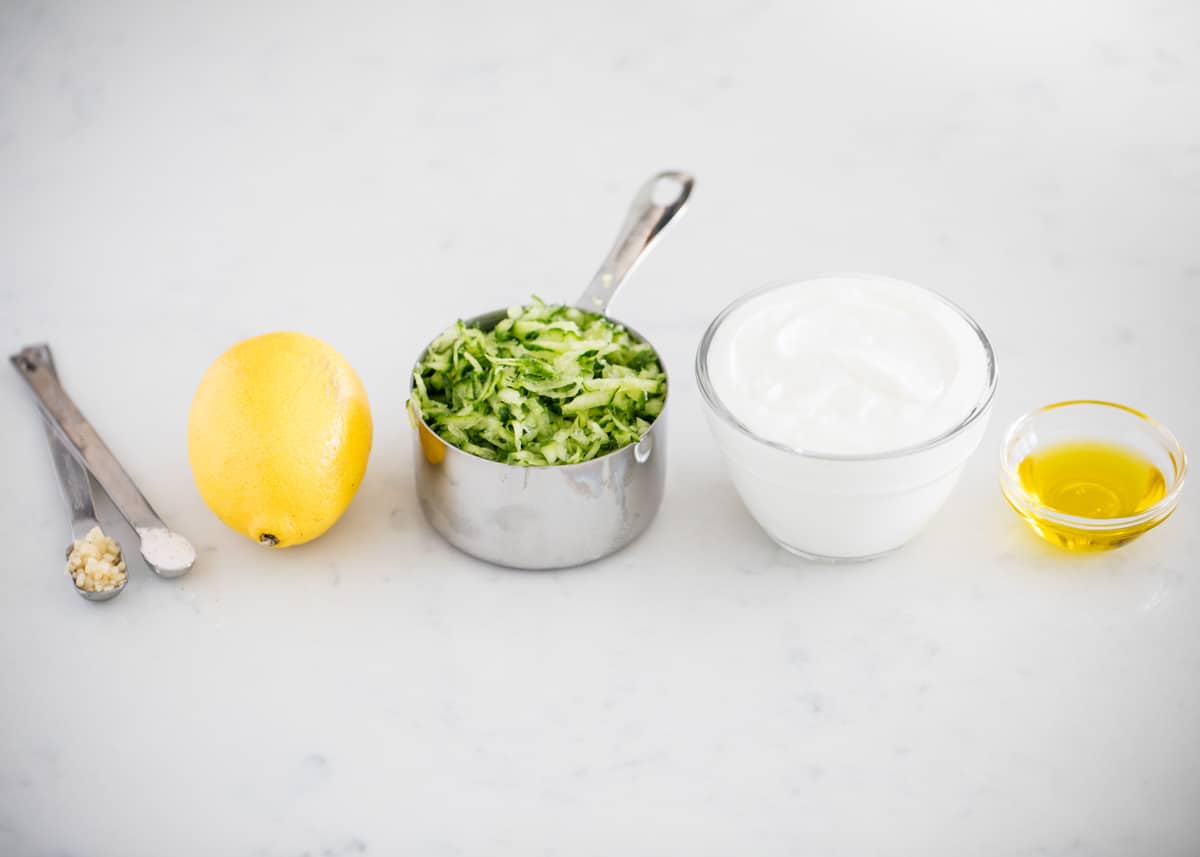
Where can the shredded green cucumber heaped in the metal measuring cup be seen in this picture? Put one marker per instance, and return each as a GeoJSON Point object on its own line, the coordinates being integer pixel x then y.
{"type": "Point", "coordinates": [548, 386]}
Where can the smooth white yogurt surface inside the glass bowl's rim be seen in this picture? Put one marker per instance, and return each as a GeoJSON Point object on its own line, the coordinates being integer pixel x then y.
{"type": "Point", "coordinates": [848, 365]}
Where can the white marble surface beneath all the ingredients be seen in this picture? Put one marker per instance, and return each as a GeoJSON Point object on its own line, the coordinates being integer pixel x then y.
{"type": "Point", "coordinates": [178, 176]}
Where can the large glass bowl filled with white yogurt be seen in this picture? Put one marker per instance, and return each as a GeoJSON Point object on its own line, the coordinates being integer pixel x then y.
{"type": "Point", "coordinates": [845, 409]}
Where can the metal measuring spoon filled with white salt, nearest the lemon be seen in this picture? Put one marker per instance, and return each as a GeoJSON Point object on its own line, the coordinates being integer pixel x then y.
{"type": "Point", "coordinates": [167, 553]}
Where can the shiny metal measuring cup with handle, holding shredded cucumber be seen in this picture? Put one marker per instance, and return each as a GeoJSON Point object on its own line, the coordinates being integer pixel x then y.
{"type": "Point", "coordinates": [557, 516]}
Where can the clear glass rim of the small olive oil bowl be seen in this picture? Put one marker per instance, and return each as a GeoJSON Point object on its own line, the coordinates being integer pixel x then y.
{"type": "Point", "coordinates": [1021, 499]}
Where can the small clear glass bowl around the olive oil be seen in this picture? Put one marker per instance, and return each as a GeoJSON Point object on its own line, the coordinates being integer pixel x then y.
{"type": "Point", "coordinates": [1091, 422]}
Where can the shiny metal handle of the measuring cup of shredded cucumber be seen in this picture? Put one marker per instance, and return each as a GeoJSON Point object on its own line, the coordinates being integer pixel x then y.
{"type": "Point", "coordinates": [656, 206]}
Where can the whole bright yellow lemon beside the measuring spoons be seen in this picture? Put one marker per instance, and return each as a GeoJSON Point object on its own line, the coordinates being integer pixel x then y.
{"type": "Point", "coordinates": [279, 438]}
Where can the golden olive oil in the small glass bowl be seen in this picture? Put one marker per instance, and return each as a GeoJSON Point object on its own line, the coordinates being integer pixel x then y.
{"type": "Point", "coordinates": [1090, 481]}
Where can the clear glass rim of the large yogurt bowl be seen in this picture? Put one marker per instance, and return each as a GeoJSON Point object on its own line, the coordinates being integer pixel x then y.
{"type": "Point", "coordinates": [718, 407]}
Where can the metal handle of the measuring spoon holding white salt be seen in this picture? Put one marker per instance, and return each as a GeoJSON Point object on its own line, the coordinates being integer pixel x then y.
{"type": "Point", "coordinates": [35, 365]}
